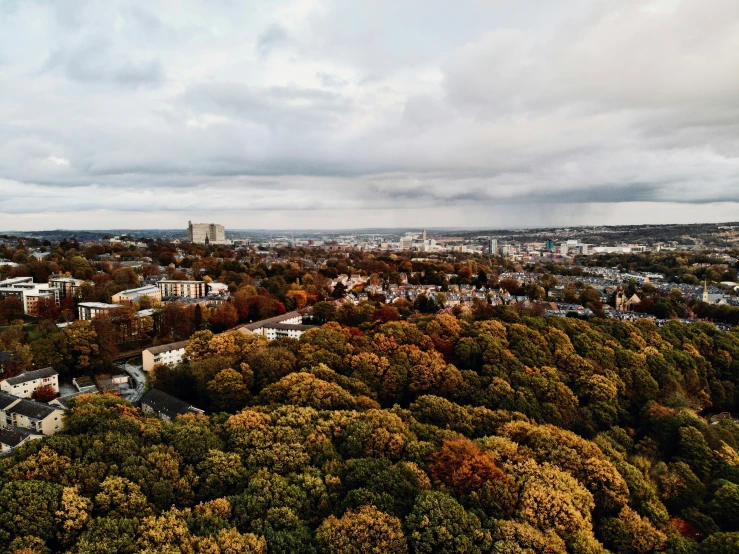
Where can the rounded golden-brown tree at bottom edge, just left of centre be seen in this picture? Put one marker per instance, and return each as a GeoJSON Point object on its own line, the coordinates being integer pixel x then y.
{"type": "Point", "coordinates": [366, 530]}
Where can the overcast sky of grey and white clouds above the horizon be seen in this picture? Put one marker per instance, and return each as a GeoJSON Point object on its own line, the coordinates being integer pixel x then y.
{"type": "Point", "coordinates": [339, 114]}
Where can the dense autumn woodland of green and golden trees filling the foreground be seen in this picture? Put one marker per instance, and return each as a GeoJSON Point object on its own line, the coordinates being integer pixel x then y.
{"type": "Point", "coordinates": [432, 435]}
